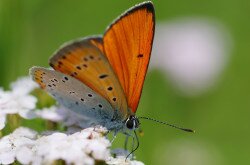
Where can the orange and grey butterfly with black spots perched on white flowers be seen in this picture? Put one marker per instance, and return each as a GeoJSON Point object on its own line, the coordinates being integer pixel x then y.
{"type": "Point", "coordinates": [101, 77]}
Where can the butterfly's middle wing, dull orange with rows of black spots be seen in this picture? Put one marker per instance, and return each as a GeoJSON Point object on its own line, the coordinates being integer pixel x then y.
{"type": "Point", "coordinates": [85, 61]}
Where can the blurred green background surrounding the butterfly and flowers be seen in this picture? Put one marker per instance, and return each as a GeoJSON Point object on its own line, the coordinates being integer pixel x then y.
{"type": "Point", "coordinates": [31, 30]}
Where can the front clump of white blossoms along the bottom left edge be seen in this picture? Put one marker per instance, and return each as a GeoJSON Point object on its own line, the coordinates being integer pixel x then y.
{"type": "Point", "coordinates": [82, 147]}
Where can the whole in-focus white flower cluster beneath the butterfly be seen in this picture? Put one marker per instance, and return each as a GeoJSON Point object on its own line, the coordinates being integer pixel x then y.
{"type": "Point", "coordinates": [74, 146]}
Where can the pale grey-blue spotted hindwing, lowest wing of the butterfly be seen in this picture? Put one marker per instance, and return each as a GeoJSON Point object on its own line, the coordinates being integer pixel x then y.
{"type": "Point", "coordinates": [72, 93]}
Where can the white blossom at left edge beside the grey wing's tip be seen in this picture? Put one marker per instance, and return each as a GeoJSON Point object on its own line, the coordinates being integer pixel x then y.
{"type": "Point", "coordinates": [18, 100]}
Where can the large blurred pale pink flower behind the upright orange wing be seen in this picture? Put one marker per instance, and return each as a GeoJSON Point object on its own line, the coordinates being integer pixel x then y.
{"type": "Point", "coordinates": [193, 52]}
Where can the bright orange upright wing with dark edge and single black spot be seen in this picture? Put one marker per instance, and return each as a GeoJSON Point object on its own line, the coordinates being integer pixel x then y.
{"type": "Point", "coordinates": [127, 45]}
